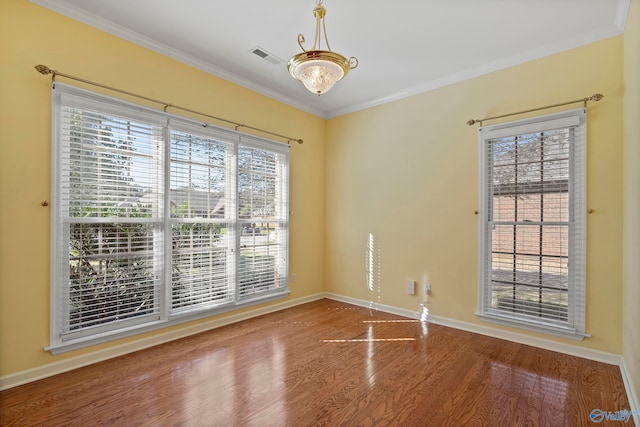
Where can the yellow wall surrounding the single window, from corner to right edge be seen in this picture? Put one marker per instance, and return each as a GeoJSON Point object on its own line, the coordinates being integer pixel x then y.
{"type": "Point", "coordinates": [407, 171]}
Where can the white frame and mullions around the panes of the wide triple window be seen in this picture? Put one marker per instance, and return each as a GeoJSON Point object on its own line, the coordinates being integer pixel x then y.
{"type": "Point", "coordinates": [64, 95]}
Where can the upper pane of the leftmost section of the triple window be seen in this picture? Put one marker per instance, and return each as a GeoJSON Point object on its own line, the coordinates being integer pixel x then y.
{"type": "Point", "coordinates": [110, 166]}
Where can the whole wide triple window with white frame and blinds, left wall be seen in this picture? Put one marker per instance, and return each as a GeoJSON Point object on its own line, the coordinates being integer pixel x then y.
{"type": "Point", "coordinates": [158, 219]}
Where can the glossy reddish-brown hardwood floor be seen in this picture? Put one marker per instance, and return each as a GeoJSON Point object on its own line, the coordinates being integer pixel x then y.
{"type": "Point", "coordinates": [325, 364]}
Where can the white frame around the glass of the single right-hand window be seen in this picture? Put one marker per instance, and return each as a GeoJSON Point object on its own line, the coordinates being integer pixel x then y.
{"type": "Point", "coordinates": [574, 327]}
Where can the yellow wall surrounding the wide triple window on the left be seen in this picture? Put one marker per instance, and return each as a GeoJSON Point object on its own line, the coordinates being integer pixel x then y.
{"type": "Point", "coordinates": [31, 35]}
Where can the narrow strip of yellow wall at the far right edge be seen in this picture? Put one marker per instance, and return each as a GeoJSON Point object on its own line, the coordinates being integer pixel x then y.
{"type": "Point", "coordinates": [631, 331]}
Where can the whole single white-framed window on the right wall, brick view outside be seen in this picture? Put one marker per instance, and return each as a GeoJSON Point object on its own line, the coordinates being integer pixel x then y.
{"type": "Point", "coordinates": [532, 223]}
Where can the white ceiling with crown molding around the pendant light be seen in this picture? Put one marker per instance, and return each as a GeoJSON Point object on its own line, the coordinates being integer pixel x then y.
{"type": "Point", "coordinates": [404, 46]}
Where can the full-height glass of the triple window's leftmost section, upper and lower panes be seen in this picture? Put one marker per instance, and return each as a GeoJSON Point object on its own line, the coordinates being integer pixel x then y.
{"type": "Point", "coordinates": [109, 170]}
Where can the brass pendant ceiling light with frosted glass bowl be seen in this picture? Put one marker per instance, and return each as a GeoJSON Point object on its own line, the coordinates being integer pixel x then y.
{"type": "Point", "coordinates": [319, 69]}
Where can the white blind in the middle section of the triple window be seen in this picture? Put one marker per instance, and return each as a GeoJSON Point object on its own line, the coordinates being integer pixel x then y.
{"type": "Point", "coordinates": [202, 205]}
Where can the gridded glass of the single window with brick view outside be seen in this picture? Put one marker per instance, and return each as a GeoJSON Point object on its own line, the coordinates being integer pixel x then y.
{"type": "Point", "coordinates": [529, 215]}
